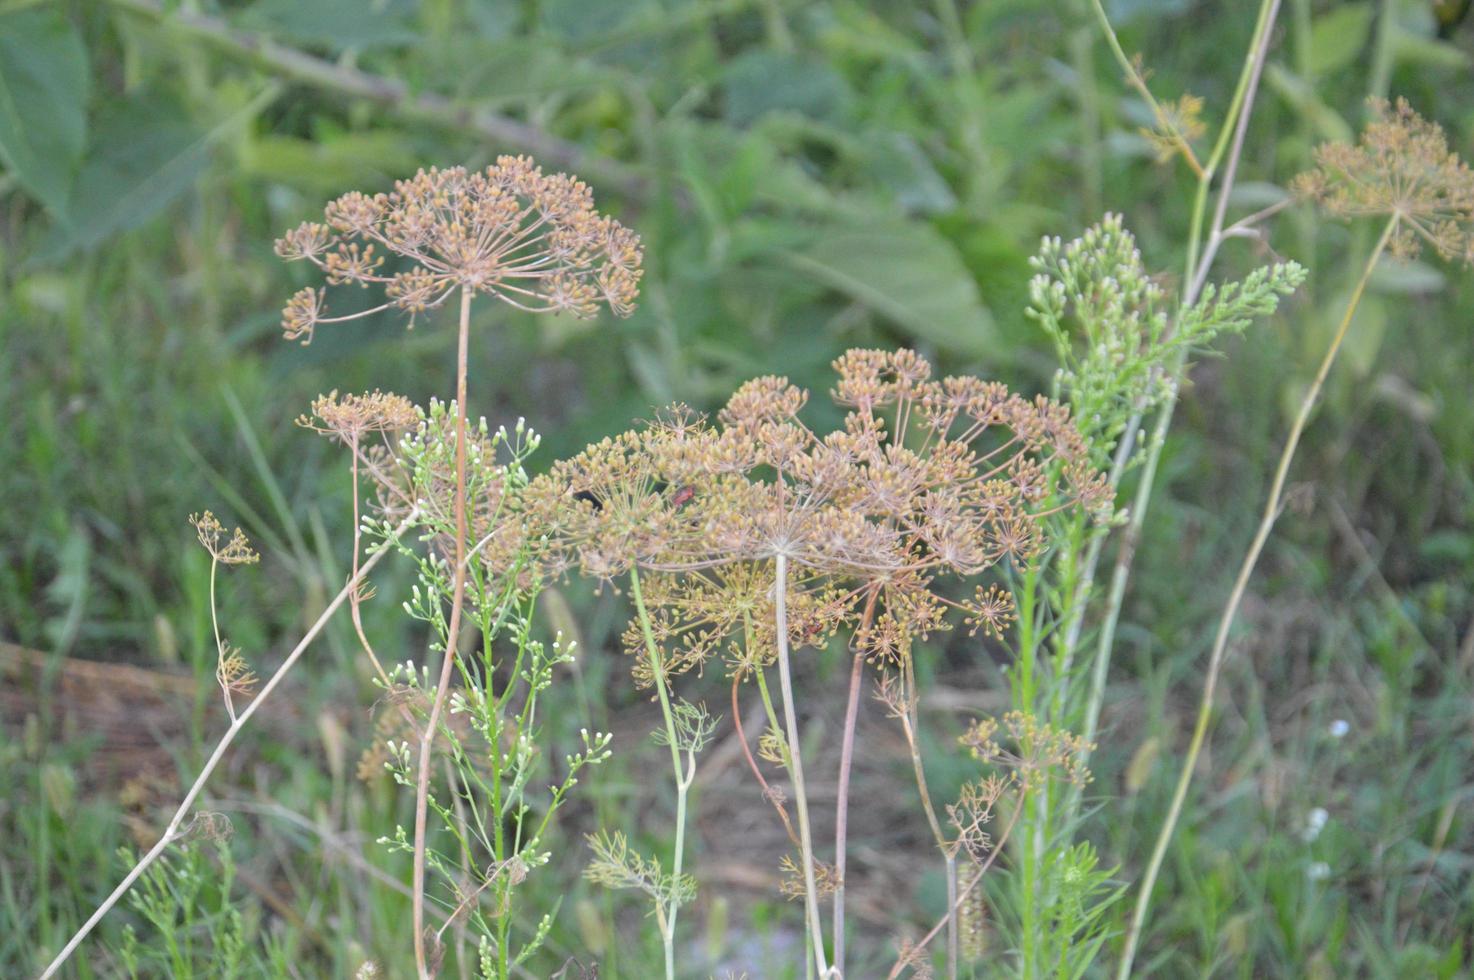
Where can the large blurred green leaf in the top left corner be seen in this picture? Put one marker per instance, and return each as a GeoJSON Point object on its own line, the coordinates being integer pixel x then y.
{"type": "Point", "coordinates": [43, 102]}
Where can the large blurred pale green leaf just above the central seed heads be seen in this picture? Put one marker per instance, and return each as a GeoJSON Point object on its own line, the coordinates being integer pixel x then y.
{"type": "Point", "coordinates": [909, 273]}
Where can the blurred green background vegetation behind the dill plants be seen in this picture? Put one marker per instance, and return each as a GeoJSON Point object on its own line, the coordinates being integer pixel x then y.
{"type": "Point", "coordinates": [807, 178]}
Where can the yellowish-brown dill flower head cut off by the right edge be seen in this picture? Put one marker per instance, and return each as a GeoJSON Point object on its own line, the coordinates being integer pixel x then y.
{"type": "Point", "coordinates": [1401, 169]}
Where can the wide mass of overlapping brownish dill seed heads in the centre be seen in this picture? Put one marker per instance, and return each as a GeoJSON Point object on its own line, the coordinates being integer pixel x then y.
{"type": "Point", "coordinates": [925, 480]}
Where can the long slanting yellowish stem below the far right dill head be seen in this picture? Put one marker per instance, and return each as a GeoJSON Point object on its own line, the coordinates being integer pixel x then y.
{"type": "Point", "coordinates": [1257, 547]}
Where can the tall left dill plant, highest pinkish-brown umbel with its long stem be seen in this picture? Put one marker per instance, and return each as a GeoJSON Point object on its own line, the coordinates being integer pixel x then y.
{"type": "Point", "coordinates": [523, 238]}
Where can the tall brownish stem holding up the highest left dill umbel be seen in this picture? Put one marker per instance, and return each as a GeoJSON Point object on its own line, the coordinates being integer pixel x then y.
{"type": "Point", "coordinates": [422, 788]}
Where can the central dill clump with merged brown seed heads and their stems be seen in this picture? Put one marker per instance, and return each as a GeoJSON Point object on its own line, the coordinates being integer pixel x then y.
{"type": "Point", "coordinates": [757, 539]}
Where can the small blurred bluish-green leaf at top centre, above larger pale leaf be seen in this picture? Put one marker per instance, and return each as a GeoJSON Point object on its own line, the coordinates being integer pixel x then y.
{"type": "Point", "coordinates": [763, 82]}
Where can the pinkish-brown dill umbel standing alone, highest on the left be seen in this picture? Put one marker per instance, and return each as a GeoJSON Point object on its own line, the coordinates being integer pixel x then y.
{"type": "Point", "coordinates": [530, 239]}
